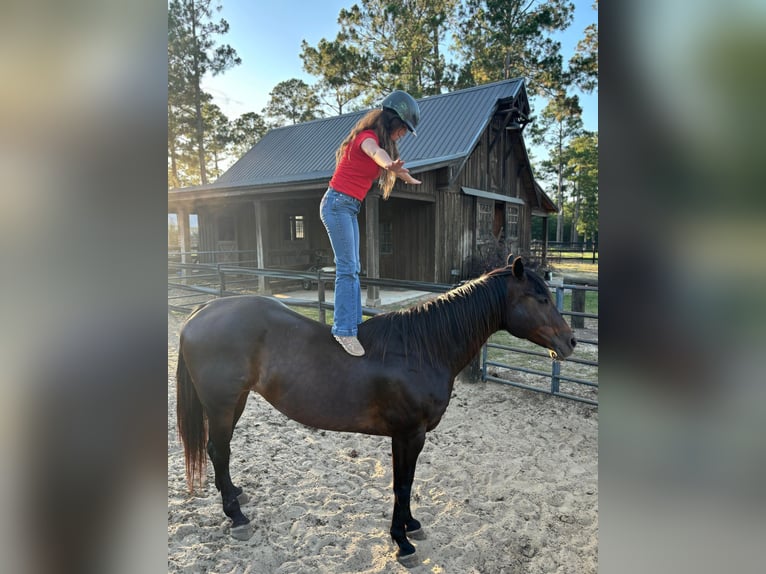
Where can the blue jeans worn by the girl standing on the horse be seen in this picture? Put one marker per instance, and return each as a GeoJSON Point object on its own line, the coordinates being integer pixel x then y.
{"type": "Point", "coordinates": [339, 212]}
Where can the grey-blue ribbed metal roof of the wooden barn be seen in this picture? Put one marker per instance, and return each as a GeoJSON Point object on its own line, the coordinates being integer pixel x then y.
{"type": "Point", "coordinates": [449, 128]}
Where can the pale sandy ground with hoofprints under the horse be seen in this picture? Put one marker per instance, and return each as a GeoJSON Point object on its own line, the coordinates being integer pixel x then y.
{"type": "Point", "coordinates": [507, 483]}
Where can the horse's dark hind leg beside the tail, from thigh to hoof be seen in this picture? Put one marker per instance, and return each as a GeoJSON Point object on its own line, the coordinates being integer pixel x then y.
{"type": "Point", "coordinates": [220, 429]}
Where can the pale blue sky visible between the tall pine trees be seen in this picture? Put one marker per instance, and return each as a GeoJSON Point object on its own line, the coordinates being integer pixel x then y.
{"type": "Point", "coordinates": [267, 37]}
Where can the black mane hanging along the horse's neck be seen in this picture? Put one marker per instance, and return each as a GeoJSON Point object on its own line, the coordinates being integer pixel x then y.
{"type": "Point", "coordinates": [436, 329]}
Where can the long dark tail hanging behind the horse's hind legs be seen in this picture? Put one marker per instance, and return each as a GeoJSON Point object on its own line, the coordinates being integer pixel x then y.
{"type": "Point", "coordinates": [192, 426]}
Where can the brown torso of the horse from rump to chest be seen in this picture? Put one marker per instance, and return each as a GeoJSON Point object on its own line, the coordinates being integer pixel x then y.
{"type": "Point", "coordinates": [235, 344]}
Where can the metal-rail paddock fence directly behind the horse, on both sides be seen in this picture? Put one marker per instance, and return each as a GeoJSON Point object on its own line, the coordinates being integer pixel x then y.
{"type": "Point", "coordinates": [503, 359]}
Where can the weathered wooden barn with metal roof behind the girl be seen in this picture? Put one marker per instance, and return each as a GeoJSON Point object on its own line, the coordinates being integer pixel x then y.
{"type": "Point", "coordinates": [478, 195]}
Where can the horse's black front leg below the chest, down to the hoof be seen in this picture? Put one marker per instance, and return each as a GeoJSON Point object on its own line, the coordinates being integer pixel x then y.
{"type": "Point", "coordinates": [406, 450]}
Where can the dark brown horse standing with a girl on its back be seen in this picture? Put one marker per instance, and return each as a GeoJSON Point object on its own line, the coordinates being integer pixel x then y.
{"type": "Point", "coordinates": [400, 388]}
